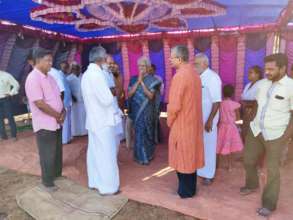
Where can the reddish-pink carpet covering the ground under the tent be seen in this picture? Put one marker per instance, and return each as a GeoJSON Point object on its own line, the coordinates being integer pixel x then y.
{"type": "Point", "coordinates": [156, 184]}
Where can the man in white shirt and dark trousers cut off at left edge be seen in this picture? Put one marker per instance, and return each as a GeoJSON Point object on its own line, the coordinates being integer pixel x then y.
{"type": "Point", "coordinates": [8, 88]}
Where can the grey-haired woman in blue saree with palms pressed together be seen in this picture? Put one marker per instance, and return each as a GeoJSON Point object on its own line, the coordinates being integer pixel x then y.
{"type": "Point", "coordinates": [142, 92]}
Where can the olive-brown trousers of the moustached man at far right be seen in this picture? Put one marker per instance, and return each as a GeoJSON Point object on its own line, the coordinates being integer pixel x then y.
{"type": "Point", "coordinates": [254, 148]}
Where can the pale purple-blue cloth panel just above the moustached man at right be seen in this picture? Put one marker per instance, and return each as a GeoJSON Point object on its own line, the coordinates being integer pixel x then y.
{"type": "Point", "coordinates": [255, 53]}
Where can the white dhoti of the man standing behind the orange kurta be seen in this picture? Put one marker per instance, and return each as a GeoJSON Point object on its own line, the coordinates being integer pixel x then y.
{"type": "Point", "coordinates": [210, 156]}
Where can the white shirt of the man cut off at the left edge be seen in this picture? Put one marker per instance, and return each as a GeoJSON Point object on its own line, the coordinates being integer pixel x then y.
{"type": "Point", "coordinates": [8, 85]}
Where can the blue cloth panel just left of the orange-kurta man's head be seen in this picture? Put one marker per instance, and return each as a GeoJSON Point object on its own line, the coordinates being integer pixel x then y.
{"type": "Point", "coordinates": [157, 58]}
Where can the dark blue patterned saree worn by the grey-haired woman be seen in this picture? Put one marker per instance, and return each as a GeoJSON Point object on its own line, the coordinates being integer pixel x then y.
{"type": "Point", "coordinates": [144, 112]}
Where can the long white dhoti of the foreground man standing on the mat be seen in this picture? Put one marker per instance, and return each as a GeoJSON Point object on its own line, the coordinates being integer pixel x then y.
{"type": "Point", "coordinates": [102, 168]}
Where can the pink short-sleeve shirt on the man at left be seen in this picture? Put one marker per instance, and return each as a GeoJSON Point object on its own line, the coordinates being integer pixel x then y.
{"type": "Point", "coordinates": [39, 86]}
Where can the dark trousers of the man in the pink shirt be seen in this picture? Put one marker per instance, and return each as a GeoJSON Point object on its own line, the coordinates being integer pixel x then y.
{"type": "Point", "coordinates": [50, 152]}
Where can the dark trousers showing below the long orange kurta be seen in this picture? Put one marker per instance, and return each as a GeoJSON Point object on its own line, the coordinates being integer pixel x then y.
{"type": "Point", "coordinates": [187, 184]}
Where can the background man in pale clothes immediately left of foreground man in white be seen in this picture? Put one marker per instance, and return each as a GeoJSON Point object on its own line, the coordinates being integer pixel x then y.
{"type": "Point", "coordinates": [78, 110]}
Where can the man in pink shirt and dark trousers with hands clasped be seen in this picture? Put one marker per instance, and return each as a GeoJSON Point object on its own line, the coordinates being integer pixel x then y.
{"type": "Point", "coordinates": [47, 116]}
